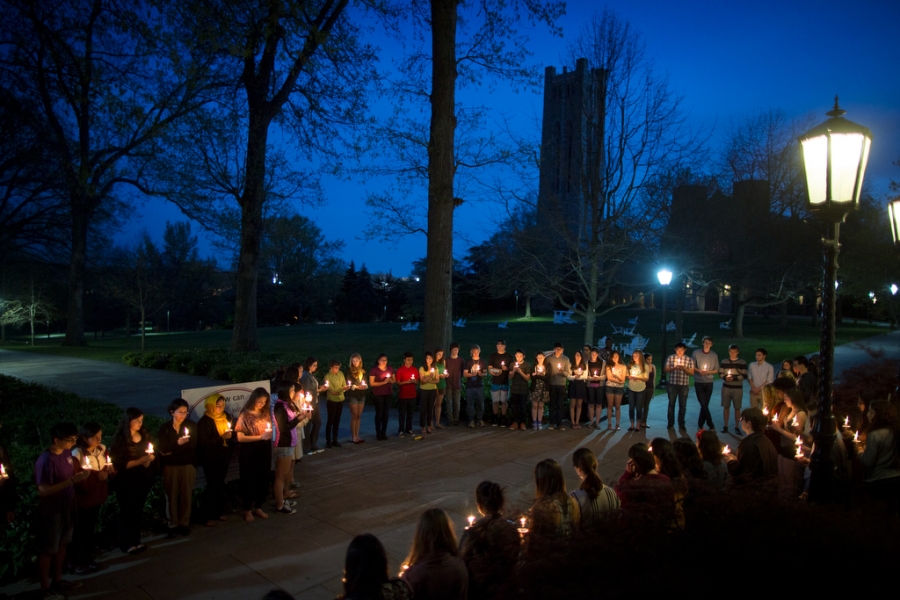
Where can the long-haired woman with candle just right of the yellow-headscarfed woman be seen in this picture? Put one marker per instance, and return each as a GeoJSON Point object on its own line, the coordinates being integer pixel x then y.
{"type": "Point", "coordinates": [254, 433]}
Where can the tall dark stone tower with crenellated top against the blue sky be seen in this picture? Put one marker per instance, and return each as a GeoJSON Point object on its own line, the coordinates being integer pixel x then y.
{"type": "Point", "coordinates": [570, 139]}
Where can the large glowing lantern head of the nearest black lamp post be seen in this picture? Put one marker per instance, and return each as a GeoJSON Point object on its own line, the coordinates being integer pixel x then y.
{"type": "Point", "coordinates": [835, 154]}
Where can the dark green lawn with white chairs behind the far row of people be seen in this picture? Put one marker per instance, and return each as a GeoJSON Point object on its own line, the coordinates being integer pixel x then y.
{"type": "Point", "coordinates": [371, 339]}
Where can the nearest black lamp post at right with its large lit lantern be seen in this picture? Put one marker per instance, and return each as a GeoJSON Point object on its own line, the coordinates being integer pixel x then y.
{"type": "Point", "coordinates": [834, 163]}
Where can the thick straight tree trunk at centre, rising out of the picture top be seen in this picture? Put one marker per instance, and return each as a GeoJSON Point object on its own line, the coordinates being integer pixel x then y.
{"type": "Point", "coordinates": [441, 171]}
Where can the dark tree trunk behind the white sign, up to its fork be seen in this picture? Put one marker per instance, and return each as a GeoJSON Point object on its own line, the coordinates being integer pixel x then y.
{"type": "Point", "coordinates": [244, 336]}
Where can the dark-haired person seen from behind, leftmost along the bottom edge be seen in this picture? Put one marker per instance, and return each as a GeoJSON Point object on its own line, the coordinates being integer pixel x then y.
{"type": "Point", "coordinates": [366, 572]}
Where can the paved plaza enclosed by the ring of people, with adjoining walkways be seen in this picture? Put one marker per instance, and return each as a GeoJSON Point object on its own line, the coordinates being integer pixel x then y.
{"type": "Point", "coordinates": [376, 487]}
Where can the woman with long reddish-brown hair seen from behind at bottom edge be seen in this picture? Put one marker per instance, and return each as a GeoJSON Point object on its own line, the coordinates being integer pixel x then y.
{"type": "Point", "coordinates": [434, 569]}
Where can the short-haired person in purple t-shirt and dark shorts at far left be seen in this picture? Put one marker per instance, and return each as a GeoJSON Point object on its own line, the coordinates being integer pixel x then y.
{"type": "Point", "coordinates": [55, 476]}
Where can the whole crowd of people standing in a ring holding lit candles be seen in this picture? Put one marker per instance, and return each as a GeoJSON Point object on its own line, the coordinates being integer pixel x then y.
{"type": "Point", "coordinates": [73, 476]}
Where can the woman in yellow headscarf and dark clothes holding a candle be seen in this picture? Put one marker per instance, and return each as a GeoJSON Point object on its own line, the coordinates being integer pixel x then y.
{"type": "Point", "coordinates": [214, 450]}
